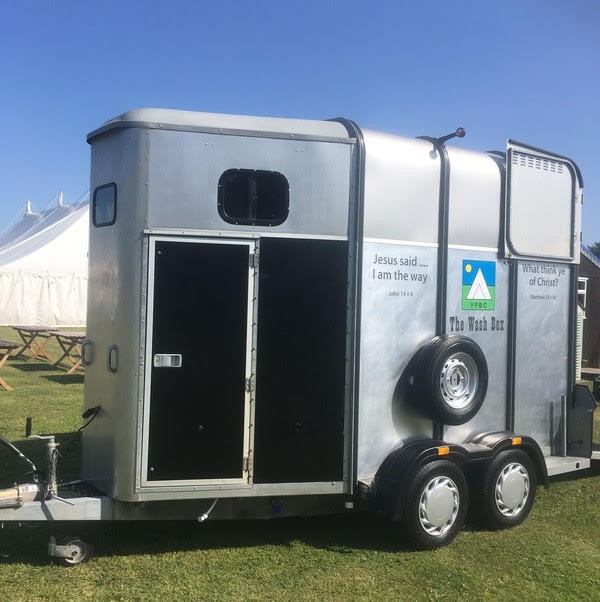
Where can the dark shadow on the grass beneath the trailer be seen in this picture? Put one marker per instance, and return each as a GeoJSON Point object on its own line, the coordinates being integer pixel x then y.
{"type": "Point", "coordinates": [340, 534]}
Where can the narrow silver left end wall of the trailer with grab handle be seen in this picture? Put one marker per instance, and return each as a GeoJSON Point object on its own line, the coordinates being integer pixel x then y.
{"type": "Point", "coordinates": [115, 294]}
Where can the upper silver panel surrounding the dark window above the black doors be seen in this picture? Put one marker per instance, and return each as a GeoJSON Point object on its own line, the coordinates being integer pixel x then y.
{"type": "Point", "coordinates": [185, 168]}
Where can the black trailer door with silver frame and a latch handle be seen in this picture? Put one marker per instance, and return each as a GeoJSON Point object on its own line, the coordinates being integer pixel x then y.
{"type": "Point", "coordinates": [199, 330]}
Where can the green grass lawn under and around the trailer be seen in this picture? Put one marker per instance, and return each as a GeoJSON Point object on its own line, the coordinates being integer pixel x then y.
{"type": "Point", "coordinates": [554, 555]}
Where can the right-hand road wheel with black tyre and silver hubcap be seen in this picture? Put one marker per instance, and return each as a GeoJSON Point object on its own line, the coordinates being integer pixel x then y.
{"type": "Point", "coordinates": [508, 490]}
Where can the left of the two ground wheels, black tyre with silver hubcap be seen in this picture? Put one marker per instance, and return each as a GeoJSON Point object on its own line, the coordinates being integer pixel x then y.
{"type": "Point", "coordinates": [436, 505]}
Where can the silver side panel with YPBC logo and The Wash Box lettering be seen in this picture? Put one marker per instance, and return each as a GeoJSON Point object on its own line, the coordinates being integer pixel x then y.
{"type": "Point", "coordinates": [478, 280]}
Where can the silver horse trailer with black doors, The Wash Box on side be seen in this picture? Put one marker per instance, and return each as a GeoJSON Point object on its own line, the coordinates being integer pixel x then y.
{"type": "Point", "coordinates": [289, 317]}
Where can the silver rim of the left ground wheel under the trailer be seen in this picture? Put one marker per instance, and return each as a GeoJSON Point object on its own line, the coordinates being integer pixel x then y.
{"type": "Point", "coordinates": [439, 505]}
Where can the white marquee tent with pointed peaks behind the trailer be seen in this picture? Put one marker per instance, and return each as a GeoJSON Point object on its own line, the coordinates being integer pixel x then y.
{"type": "Point", "coordinates": [43, 267]}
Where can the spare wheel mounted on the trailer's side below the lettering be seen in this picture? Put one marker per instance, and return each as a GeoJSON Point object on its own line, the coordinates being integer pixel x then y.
{"type": "Point", "coordinates": [451, 379]}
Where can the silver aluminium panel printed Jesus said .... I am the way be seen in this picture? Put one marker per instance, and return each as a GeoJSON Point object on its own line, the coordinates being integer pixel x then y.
{"type": "Point", "coordinates": [398, 290]}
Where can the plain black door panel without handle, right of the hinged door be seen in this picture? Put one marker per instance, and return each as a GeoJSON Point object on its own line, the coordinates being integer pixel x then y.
{"type": "Point", "coordinates": [301, 361]}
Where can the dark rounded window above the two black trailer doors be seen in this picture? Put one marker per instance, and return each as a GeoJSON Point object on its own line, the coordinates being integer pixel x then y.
{"type": "Point", "coordinates": [252, 197]}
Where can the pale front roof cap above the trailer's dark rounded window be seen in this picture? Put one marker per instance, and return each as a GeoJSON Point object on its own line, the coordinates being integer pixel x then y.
{"type": "Point", "coordinates": [170, 119]}
